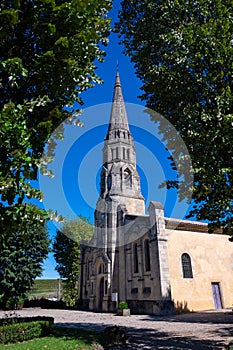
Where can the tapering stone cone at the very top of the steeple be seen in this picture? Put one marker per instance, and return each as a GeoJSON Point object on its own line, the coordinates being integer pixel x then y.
{"type": "Point", "coordinates": [118, 118]}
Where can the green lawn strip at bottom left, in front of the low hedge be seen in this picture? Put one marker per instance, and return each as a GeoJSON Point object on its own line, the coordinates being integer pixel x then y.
{"type": "Point", "coordinates": [61, 339]}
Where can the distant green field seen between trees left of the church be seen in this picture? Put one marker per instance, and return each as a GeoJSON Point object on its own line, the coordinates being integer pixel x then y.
{"type": "Point", "coordinates": [47, 288]}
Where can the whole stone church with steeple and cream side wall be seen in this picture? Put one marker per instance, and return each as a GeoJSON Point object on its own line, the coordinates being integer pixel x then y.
{"type": "Point", "coordinates": [156, 264]}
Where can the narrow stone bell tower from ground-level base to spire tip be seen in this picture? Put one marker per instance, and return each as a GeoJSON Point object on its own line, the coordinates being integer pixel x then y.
{"type": "Point", "coordinates": [120, 195]}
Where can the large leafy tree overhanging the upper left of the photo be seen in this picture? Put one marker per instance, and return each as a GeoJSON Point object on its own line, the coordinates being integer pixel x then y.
{"type": "Point", "coordinates": [48, 50]}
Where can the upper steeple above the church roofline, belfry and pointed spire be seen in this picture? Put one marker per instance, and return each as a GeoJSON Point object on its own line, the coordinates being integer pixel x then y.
{"type": "Point", "coordinates": [119, 177]}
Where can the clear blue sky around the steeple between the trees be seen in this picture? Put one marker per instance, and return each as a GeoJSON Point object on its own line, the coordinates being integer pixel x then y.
{"type": "Point", "coordinates": [74, 189]}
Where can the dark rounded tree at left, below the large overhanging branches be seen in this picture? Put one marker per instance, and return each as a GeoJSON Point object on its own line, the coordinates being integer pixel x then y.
{"type": "Point", "coordinates": [21, 258]}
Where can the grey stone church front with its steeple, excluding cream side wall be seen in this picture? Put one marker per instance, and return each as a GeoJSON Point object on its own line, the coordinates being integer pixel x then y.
{"type": "Point", "coordinates": [127, 258]}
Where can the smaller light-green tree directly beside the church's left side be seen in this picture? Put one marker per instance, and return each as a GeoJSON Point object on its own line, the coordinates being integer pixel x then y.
{"type": "Point", "coordinates": [66, 249]}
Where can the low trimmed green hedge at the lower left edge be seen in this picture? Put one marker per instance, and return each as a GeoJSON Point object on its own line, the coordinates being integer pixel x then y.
{"type": "Point", "coordinates": [20, 329]}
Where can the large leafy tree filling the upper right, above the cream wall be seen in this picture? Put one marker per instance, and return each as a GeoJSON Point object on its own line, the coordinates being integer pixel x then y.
{"type": "Point", "coordinates": [183, 53]}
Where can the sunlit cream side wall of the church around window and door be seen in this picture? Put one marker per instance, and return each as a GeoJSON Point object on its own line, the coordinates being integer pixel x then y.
{"type": "Point", "coordinates": [212, 262]}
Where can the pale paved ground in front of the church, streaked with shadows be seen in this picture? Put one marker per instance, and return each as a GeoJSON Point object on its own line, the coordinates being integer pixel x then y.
{"type": "Point", "coordinates": [195, 331]}
